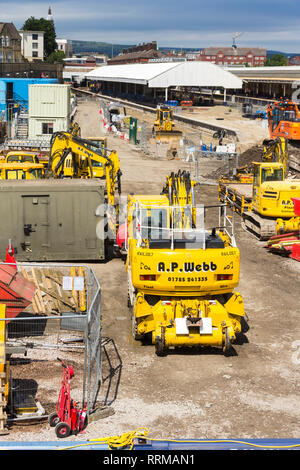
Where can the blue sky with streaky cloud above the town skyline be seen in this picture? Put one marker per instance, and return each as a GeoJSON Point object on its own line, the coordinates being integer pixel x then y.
{"type": "Point", "coordinates": [272, 24]}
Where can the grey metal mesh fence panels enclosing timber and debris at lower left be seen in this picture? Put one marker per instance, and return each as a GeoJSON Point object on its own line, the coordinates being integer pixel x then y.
{"type": "Point", "coordinates": [51, 311]}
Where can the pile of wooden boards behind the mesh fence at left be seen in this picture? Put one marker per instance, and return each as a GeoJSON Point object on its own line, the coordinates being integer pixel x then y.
{"type": "Point", "coordinates": [49, 297]}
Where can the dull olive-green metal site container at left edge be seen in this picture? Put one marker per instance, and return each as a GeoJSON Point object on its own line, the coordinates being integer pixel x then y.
{"type": "Point", "coordinates": [53, 220]}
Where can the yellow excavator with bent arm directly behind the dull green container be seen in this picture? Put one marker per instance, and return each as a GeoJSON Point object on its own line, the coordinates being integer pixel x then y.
{"type": "Point", "coordinates": [72, 156]}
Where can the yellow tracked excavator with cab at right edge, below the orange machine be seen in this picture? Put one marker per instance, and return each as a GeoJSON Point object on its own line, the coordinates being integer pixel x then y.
{"type": "Point", "coordinates": [266, 195]}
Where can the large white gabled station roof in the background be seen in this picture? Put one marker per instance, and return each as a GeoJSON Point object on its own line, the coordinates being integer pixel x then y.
{"type": "Point", "coordinates": [163, 75]}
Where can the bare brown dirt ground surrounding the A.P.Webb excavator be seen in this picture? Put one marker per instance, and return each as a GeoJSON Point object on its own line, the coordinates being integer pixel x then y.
{"type": "Point", "coordinates": [199, 394]}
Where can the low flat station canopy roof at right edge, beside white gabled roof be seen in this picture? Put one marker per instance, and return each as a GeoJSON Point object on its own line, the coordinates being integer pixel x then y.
{"type": "Point", "coordinates": [283, 74]}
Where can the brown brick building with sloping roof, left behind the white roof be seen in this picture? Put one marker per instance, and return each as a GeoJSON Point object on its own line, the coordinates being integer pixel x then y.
{"type": "Point", "coordinates": [139, 54]}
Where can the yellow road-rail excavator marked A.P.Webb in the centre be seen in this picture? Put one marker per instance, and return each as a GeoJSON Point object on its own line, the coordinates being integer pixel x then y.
{"type": "Point", "coordinates": [181, 275]}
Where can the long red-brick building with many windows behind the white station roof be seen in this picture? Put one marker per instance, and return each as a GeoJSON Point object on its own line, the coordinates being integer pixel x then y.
{"type": "Point", "coordinates": [234, 56]}
